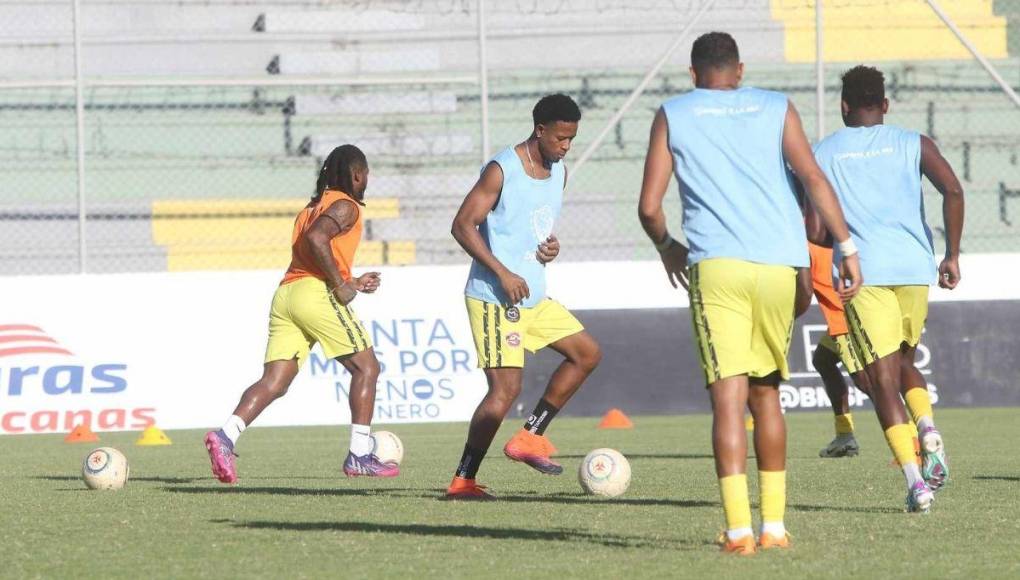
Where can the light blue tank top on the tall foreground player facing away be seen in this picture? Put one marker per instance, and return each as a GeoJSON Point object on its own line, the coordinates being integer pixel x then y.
{"type": "Point", "coordinates": [739, 201]}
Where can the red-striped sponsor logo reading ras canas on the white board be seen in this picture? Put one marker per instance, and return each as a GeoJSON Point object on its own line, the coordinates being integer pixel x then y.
{"type": "Point", "coordinates": [42, 382]}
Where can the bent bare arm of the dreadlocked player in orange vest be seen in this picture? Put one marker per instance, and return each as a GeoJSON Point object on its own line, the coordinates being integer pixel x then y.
{"type": "Point", "coordinates": [336, 221]}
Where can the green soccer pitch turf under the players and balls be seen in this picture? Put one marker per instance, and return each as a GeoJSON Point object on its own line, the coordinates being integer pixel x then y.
{"type": "Point", "coordinates": [294, 515]}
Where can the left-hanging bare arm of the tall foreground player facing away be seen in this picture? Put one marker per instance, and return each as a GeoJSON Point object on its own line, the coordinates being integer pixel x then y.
{"type": "Point", "coordinates": [658, 172]}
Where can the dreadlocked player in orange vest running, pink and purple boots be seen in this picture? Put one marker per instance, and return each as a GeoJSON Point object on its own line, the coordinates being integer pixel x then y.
{"type": "Point", "coordinates": [312, 306]}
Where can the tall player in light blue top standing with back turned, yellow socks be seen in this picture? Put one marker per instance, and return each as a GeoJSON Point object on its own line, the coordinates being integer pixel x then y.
{"type": "Point", "coordinates": [730, 148]}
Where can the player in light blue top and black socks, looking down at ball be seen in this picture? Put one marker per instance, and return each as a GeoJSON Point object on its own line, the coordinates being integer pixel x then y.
{"type": "Point", "coordinates": [506, 225]}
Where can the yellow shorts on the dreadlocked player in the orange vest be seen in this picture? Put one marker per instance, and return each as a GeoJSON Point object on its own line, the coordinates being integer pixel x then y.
{"type": "Point", "coordinates": [303, 313]}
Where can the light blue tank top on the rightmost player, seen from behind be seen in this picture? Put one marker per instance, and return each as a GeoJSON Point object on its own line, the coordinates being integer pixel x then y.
{"type": "Point", "coordinates": [877, 174]}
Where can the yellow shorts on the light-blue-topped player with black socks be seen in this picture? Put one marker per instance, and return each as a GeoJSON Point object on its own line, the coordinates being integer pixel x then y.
{"type": "Point", "coordinates": [501, 334]}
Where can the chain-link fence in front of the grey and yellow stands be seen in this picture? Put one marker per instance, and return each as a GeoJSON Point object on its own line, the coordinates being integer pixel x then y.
{"type": "Point", "coordinates": [145, 136]}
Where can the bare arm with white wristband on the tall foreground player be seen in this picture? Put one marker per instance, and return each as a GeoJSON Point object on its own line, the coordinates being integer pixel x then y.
{"type": "Point", "coordinates": [797, 151]}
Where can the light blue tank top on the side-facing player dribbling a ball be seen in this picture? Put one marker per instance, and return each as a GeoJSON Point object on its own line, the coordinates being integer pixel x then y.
{"type": "Point", "coordinates": [522, 221]}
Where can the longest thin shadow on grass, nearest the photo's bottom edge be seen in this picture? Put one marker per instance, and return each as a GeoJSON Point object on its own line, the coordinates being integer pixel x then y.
{"type": "Point", "coordinates": [554, 535]}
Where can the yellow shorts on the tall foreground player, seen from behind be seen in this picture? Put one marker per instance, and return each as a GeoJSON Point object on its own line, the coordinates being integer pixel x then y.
{"type": "Point", "coordinates": [743, 315]}
